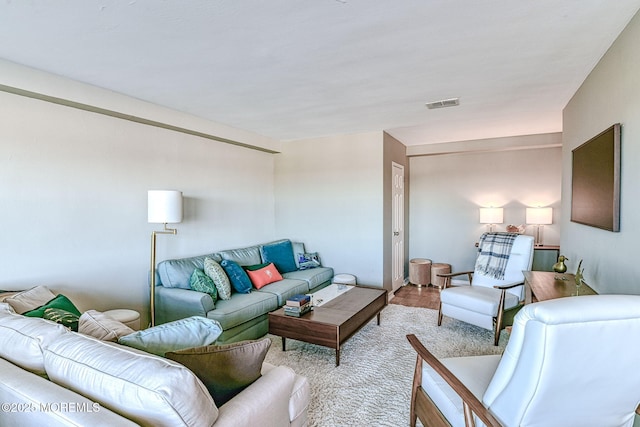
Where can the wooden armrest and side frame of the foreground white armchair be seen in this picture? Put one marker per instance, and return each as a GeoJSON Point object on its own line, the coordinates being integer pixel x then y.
{"type": "Point", "coordinates": [422, 406]}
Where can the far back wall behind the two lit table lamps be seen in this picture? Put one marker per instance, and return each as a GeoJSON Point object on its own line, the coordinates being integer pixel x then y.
{"type": "Point", "coordinates": [447, 191]}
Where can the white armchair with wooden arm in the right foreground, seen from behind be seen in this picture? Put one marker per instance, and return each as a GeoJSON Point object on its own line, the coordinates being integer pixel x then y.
{"type": "Point", "coordinates": [569, 362]}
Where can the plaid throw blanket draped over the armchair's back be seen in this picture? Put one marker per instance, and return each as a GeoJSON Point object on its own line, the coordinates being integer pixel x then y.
{"type": "Point", "coordinates": [493, 254]}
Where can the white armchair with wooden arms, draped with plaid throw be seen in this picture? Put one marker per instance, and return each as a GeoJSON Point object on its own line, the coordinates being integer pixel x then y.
{"type": "Point", "coordinates": [487, 301]}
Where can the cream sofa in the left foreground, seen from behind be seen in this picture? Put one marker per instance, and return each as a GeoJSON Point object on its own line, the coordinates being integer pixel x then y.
{"type": "Point", "coordinates": [54, 377]}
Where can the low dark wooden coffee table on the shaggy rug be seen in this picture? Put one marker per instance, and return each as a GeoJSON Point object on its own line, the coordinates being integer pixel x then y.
{"type": "Point", "coordinates": [332, 323]}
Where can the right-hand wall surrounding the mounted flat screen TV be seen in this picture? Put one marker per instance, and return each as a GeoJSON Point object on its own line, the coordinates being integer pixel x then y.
{"type": "Point", "coordinates": [610, 94]}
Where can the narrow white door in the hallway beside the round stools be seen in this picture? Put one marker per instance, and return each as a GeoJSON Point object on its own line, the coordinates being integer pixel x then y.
{"type": "Point", "coordinates": [397, 220]}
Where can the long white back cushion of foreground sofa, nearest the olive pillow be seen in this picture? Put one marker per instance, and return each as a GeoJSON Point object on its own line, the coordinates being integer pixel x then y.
{"type": "Point", "coordinates": [147, 389]}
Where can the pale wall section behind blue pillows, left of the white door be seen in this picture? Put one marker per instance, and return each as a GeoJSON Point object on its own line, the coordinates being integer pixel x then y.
{"type": "Point", "coordinates": [329, 196]}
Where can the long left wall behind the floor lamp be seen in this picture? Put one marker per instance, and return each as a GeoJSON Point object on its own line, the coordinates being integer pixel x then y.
{"type": "Point", "coordinates": [73, 188]}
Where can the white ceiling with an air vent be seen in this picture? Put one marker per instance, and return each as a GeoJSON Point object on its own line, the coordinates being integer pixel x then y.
{"type": "Point", "coordinates": [290, 69]}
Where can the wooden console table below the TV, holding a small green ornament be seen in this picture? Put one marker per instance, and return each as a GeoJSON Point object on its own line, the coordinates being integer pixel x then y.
{"type": "Point", "coordinates": [544, 285]}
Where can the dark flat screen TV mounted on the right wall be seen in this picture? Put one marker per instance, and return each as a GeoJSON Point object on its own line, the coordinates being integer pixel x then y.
{"type": "Point", "coordinates": [595, 181]}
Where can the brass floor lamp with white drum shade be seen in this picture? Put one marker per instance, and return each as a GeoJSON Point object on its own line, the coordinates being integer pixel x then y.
{"type": "Point", "coordinates": [164, 207]}
